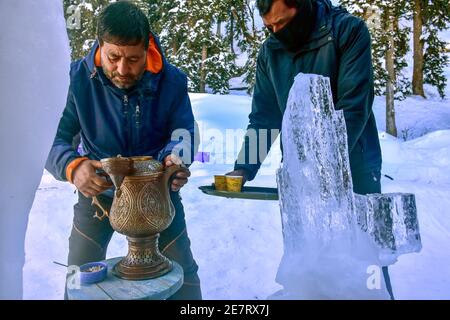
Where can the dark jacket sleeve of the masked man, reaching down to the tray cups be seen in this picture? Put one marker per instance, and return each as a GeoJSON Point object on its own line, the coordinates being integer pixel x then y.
{"type": "Point", "coordinates": [265, 122]}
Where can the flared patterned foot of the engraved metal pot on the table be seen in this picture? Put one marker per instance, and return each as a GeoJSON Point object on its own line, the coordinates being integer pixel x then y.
{"type": "Point", "coordinates": [143, 261]}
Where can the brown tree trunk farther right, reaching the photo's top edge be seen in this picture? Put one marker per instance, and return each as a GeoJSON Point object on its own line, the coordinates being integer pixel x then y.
{"type": "Point", "coordinates": [417, 83]}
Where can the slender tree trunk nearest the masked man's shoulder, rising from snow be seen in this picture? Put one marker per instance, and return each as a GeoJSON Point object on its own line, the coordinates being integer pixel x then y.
{"type": "Point", "coordinates": [391, 128]}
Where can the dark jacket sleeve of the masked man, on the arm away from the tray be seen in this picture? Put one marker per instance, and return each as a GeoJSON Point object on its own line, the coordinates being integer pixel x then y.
{"type": "Point", "coordinates": [355, 92]}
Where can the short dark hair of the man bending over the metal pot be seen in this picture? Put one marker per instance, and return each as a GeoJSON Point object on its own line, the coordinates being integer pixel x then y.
{"type": "Point", "coordinates": [123, 23]}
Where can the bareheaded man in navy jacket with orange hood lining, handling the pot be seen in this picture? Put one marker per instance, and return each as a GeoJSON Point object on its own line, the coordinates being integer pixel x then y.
{"type": "Point", "coordinates": [124, 98]}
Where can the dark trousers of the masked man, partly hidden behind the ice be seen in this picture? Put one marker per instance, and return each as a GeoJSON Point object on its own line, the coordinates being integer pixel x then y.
{"type": "Point", "coordinates": [365, 183]}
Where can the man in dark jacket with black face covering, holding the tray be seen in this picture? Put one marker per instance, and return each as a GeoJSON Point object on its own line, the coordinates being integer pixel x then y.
{"type": "Point", "coordinates": [313, 36]}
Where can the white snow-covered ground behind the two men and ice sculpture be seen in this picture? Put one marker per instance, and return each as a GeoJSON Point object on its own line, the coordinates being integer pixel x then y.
{"type": "Point", "coordinates": [238, 243]}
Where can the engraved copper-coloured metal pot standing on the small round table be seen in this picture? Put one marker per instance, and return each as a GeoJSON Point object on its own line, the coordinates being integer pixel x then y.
{"type": "Point", "coordinates": [141, 209]}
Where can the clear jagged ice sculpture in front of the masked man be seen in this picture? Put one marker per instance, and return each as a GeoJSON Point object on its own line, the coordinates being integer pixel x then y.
{"type": "Point", "coordinates": [332, 237]}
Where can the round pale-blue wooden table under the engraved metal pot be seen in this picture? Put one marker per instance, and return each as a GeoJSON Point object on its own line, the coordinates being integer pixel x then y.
{"type": "Point", "coordinates": [114, 288]}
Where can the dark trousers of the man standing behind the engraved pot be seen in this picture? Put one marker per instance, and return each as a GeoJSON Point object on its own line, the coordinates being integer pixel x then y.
{"type": "Point", "coordinates": [90, 237]}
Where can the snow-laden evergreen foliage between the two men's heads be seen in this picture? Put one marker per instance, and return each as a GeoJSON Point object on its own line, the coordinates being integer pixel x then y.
{"type": "Point", "coordinates": [224, 28]}
